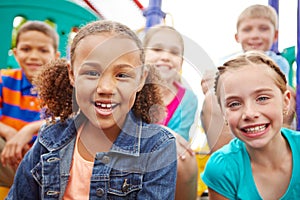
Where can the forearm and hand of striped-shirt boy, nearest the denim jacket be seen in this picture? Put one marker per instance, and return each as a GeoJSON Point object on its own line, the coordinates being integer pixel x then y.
{"type": "Point", "coordinates": [17, 146]}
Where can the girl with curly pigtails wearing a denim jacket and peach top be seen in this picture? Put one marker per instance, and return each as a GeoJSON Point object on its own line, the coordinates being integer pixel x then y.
{"type": "Point", "coordinates": [99, 143]}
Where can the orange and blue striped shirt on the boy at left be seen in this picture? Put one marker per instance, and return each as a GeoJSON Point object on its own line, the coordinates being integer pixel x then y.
{"type": "Point", "coordinates": [19, 104]}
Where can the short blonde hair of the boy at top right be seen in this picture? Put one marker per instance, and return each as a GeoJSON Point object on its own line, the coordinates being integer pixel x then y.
{"type": "Point", "coordinates": [259, 11]}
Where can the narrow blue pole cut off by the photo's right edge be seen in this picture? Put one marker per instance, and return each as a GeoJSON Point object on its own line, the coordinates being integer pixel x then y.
{"type": "Point", "coordinates": [298, 69]}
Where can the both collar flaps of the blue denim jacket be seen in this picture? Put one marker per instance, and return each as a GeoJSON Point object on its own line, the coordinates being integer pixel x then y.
{"type": "Point", "coordinates": [128, 142]}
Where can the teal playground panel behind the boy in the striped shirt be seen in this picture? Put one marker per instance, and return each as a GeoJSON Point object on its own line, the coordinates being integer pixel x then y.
{"type": "Point", "coordinates": [64, 13]}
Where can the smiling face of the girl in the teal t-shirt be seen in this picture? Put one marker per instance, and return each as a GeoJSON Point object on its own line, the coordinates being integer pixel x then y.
{"type": "Point", "coordinates": [253, 104]}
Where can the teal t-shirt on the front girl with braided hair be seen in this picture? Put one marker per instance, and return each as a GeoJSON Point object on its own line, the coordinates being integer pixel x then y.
{"type": "Point", "coordinates": [228, 170]}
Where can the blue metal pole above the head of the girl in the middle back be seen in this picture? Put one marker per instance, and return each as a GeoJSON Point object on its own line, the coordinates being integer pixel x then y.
{"type": "Point", "coordinates": [153, 13]}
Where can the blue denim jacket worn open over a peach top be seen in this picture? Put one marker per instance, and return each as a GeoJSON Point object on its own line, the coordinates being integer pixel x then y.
{"type": "Point", "coordinates": [140, 165]}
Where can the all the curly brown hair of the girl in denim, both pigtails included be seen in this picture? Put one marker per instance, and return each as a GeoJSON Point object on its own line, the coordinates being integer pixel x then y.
{"type": "Point", "coordinates": [57, 94]}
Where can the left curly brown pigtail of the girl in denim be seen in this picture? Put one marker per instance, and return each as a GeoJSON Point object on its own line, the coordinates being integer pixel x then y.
{"type": "Point", "coordinates": [55, 91]}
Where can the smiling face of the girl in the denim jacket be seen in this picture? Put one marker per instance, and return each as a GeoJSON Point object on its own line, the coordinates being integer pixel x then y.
{"type": "Point", "coordinates": [107, 74]}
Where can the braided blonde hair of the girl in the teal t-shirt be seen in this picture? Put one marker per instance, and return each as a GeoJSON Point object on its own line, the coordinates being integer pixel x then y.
{"type": "Point", "coordinates": [251, 58]}
